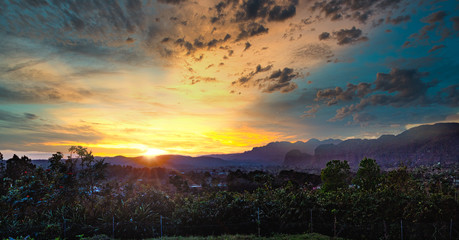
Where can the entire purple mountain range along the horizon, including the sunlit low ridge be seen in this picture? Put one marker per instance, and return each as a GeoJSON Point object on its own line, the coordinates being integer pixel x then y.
{"type": "Point", "coordinates": [422, 145]}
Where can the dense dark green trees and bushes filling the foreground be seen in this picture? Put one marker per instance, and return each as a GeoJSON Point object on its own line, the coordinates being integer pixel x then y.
{"type": "Point", "coordinates": [74, 196]}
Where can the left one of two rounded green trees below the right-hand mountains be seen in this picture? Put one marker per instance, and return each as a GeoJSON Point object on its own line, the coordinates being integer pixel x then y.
{"type": "Point", "coordinates": [335, 175]}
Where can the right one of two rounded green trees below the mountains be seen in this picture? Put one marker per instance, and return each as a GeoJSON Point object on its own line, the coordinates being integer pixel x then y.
{"type": "Point", "coordinates": [369, 175]}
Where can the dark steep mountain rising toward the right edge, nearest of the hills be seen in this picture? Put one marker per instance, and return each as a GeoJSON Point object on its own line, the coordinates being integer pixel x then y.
{"type": "Point", "coordinates": [423, 145]}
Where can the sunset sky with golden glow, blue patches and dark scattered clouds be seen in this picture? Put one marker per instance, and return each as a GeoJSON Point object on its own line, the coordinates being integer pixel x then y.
{"type": "Point", "coordinates": [200, 77]}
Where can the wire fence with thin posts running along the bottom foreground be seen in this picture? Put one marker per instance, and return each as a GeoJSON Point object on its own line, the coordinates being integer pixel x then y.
{"type": "Point", "coordinates": [318, 221]}
